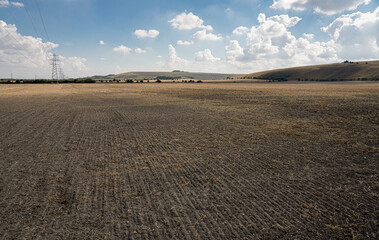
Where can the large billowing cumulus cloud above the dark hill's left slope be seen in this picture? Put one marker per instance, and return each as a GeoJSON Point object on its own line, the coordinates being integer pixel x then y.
{"type": "Point", "coordinates": [272, 44]}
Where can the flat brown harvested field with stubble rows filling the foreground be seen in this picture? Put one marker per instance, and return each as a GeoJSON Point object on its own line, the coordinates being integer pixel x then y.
{"type": "Point", "coordinates": [189, 161]}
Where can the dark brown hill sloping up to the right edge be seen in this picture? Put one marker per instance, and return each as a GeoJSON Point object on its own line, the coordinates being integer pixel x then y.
{"type": "Point", "coordinates": [338, 71]}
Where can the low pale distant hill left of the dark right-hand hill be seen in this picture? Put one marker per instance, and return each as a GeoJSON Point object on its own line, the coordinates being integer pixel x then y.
{"type": "Point", "coordinates": [171, 75]}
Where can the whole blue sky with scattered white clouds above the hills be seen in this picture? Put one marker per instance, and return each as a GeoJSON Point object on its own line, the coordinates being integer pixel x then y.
{"type": "Point", "coordinates": [97, 37]}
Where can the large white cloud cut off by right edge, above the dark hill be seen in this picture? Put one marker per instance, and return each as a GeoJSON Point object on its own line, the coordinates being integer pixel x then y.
{"type": "Point", "coordinates": [357, 34]}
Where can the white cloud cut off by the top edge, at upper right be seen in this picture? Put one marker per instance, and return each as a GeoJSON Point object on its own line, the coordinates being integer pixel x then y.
{"type": "Point", "coordinates": [328, 7]}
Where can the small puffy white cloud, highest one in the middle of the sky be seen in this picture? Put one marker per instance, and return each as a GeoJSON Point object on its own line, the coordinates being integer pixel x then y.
{"type": "Point", "coordinates": [188, 21]}
